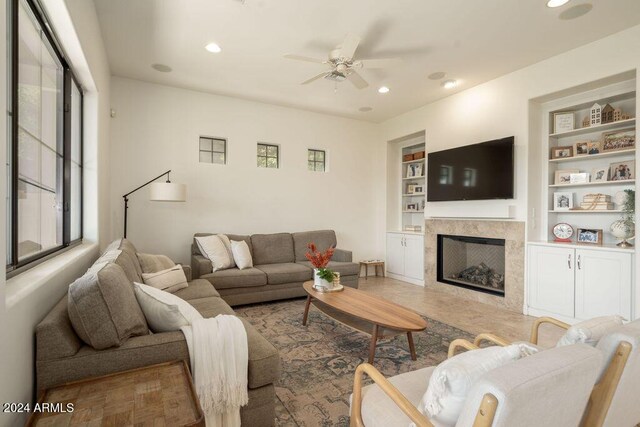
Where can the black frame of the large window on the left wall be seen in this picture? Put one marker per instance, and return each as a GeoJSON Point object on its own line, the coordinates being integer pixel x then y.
{"type": "Point", "coordinates": [15, 266]}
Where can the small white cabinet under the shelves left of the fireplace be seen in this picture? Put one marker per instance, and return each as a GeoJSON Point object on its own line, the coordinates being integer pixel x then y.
{"type": "Point", "coordinates": [405, 257]}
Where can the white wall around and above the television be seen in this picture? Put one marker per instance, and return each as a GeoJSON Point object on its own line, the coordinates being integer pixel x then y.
{"type": "Point", "coordinates": [499, 108]}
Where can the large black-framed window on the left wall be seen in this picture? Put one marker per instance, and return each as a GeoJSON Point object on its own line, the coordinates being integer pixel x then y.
{"type": "Point", "coordinates": [45, 155]}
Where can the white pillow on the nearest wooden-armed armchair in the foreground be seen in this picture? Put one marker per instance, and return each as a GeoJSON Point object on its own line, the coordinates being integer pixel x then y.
{"type": "Point", "coordinates": [452, 380]}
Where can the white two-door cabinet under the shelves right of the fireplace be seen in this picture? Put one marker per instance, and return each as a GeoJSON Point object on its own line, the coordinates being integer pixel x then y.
{"type": "Point", "coordinates": [579, 283]}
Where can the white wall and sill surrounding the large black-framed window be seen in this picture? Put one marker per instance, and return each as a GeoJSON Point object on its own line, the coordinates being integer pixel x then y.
{"type": "Point", "coordinates": [26, 298]}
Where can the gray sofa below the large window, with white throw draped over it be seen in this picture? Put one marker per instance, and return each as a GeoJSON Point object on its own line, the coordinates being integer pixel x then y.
{"type": "Point", "coordinates": [61, 356]}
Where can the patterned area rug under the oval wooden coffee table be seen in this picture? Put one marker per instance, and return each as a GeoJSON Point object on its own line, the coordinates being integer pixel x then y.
{"type": "Point", "coordinates": [319, 360]}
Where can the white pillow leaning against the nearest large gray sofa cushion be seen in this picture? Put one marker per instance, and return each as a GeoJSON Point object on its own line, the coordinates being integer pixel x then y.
{"type": "Point", "coordinates": [164, 312]}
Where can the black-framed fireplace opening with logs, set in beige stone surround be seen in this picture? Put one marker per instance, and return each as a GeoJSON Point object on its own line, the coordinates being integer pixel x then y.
{"type": "Point", "coordinates": [475, 263]}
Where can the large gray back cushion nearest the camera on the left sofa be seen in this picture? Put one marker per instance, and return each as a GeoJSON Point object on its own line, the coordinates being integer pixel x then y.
{"type": "Point", "coordinates": [103, 309]}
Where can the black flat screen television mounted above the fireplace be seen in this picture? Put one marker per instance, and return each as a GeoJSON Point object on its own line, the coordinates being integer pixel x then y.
{"type": "Point", "coordinates": [474, 172]}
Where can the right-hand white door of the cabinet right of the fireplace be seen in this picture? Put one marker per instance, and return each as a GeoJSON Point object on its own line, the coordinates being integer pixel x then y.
{"type": "Point", "coordinates": [603, 284]}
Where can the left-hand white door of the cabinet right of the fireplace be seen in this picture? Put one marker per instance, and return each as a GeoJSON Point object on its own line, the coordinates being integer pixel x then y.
{"type": "Point", "coordinates": [551, 279]}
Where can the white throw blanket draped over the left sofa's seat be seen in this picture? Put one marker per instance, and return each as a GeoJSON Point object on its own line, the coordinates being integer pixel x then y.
{"type": "Point", "coordinates": [219, 360]}
